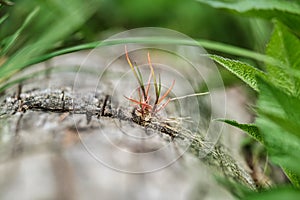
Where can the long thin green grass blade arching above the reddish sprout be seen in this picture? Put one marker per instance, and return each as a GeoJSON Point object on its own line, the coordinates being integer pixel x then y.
{"type": "Point", "coordinates": [6, 73]}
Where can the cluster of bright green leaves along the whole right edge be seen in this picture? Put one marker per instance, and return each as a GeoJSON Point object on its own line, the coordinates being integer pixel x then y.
{"type": "Point", "coordinates": [277, 126]}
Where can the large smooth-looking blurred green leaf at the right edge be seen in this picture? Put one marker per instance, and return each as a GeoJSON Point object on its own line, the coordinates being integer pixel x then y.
{"type": "Point", "coordinates": [278, 122]}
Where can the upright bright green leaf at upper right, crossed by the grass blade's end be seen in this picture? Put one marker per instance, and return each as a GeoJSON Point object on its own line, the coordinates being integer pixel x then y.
{"type": "Point", "coordinates": [285, 47]}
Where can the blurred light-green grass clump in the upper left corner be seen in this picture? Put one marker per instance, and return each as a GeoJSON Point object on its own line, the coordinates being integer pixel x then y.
{"type": "Point", "coordinates": [46, 30]}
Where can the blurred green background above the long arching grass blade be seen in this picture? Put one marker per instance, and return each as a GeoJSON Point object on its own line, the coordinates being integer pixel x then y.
{"type": "Point", "coordinates": [31, 29]}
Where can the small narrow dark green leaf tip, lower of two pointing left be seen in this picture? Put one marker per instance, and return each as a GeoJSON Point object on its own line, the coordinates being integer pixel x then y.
{"type": "Point", "coordinates": [251, 129]}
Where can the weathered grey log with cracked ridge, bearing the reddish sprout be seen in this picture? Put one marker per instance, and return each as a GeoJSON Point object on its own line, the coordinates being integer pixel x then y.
{"type": "Point", "coordinates": [59, 144]}
